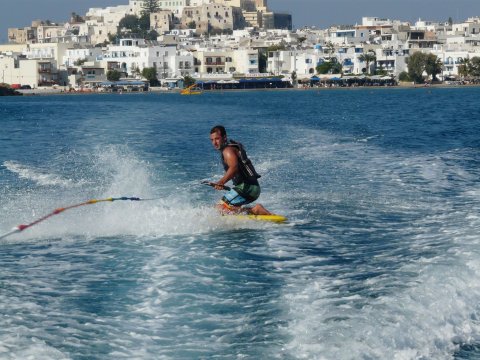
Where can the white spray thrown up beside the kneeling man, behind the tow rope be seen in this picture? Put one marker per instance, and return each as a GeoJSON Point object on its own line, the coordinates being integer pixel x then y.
{"type": "Point", "coordinates": [113, 172]}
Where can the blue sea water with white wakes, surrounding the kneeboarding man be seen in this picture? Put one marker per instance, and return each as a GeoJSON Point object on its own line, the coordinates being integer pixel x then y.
{"type": "Point", "coordinates": [380, 258]}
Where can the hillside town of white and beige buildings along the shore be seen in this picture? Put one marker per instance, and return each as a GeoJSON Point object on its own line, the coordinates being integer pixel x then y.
{"type": "Point", "coordinates": [232, 44]}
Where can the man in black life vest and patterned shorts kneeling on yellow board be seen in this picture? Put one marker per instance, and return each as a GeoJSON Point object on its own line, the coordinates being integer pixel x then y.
{"type": "Point", "coordinates": [240, 170]}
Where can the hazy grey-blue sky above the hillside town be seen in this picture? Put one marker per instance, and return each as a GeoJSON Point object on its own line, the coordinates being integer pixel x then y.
{"type": "Point", "coordinates": [320, 13]}
